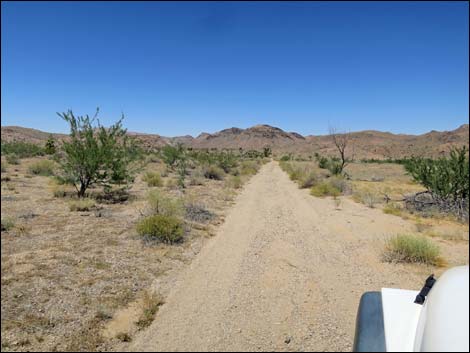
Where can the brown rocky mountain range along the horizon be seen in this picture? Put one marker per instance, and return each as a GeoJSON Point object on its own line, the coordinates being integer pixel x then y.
{"type": "Point", "coordinates": [367, 144]}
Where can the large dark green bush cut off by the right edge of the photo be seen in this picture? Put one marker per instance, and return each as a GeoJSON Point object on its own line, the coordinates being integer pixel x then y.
{"type": "Point", "coordinates": [445, 178]}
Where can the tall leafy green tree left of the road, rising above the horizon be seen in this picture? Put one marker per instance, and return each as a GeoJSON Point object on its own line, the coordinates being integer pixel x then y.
{"type": "Point", "coordinates": [97, 155]}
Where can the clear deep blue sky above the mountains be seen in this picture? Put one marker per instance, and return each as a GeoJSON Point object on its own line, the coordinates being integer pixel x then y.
{"type": "Point", "coordinates": [184, 68]}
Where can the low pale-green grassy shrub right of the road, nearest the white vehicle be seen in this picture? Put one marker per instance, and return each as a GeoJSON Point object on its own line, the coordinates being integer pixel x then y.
{"type": "Point", "coordinates": [412, 249]}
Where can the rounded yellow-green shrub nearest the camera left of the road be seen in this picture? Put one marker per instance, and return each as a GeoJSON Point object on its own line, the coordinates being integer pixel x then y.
{"type": "Point", "coordinates": [167, 229]}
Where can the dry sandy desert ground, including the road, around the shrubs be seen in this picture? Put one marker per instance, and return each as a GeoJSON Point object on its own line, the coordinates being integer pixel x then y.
{"type": "Point", "coordinates": [272, 268]}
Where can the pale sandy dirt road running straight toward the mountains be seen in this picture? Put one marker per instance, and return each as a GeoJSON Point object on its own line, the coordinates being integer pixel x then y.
{"type": "Point", "coordinates": [284, 272]}
